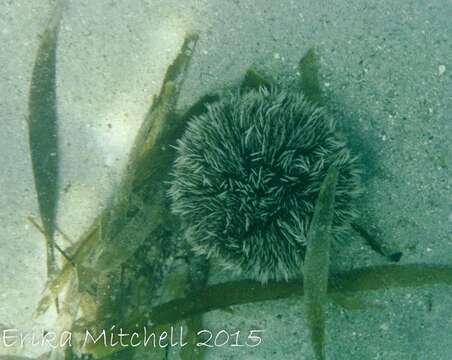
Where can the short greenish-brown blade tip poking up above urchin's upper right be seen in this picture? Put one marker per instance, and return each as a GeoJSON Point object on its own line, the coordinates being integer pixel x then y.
{"type": "Point", "coordinates": [309, 72]}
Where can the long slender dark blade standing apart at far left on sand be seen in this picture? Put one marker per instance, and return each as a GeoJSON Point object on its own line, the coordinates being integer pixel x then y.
{"type": "Point", "coordinates": [43, 131]}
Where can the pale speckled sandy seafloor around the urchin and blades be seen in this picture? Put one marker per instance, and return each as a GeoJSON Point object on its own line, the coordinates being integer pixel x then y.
{"type": "Point", "coordinates": [386, 67]}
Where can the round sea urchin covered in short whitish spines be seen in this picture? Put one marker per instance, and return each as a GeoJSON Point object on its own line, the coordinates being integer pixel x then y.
{"type": "Point", "coordinates": [247, 176]}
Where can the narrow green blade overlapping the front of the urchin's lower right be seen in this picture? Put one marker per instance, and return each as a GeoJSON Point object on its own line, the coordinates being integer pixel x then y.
{"type": "Point", "coordinates": [317, 262]}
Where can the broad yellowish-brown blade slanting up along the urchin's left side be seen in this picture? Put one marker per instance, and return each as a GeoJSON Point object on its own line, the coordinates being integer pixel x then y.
{"type": "Point", "coordinates": [147, 173]}
